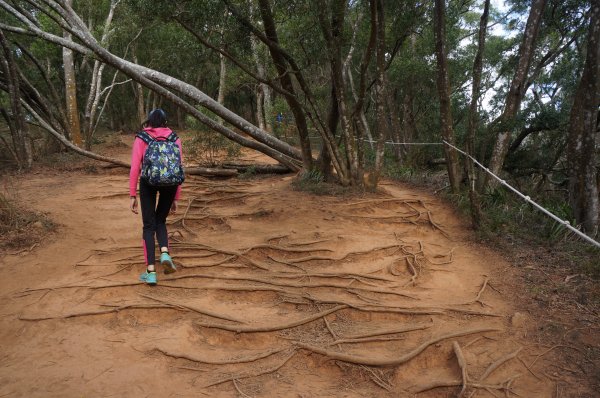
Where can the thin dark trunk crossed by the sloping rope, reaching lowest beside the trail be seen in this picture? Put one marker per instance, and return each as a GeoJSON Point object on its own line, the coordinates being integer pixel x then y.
{"type": "Point", "coordinates": [473, 117]}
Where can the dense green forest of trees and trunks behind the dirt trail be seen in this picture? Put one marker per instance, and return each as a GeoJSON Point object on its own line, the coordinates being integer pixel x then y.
{"type": "Point", "coordinates": [321, 87]}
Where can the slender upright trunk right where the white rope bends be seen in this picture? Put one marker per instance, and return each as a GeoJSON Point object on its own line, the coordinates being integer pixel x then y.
{"type": "Point", "coordinates": [443, 84]}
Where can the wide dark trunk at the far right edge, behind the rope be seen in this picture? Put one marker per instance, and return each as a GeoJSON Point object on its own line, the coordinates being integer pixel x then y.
{"type": "Point", "coordinates": [584, 137]}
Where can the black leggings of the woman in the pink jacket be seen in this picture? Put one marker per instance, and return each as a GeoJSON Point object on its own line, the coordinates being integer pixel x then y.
{"type": "Point", "coordinates": [154, 216]}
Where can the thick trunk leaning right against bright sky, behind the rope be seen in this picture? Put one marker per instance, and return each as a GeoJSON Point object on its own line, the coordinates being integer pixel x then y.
{"type": "Point", "coordinates": [516, 91]}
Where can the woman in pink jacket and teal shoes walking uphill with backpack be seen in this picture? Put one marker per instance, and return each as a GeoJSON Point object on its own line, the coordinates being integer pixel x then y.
{"type": "Point", "coordinates": [156, 159]}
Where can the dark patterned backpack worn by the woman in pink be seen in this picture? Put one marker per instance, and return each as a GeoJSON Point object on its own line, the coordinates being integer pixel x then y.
{"type": "Point", "coordinates": [162, 160]}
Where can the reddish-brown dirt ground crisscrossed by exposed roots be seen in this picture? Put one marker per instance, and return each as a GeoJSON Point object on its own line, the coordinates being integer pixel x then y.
{"type": "Point", "coordinates": [282, 293]}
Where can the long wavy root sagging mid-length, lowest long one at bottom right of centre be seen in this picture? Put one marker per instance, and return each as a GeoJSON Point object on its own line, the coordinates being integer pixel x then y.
{"type": "Point", "coordinates": [376, 361]}
